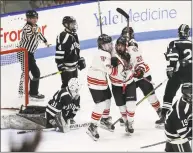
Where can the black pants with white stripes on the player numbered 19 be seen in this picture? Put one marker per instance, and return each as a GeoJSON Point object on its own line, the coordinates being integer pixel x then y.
{"type": "Point", "coordinates": [185, 147]}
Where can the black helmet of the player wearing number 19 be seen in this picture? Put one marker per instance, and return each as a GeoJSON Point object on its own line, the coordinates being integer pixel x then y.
{"type": "Point", "coordinates": [187, 92]}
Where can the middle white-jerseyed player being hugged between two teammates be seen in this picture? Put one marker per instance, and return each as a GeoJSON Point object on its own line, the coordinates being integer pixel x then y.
{"type": "Point", "coordinates": [123, 85]}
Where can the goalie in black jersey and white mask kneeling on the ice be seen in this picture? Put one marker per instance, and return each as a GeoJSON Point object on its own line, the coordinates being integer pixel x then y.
{"type": "Point", "coordinates": [62, 108]}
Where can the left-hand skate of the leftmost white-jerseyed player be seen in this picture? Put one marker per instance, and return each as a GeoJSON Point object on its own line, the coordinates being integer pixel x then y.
{"type": "Point", "coordinates": [92, 131]}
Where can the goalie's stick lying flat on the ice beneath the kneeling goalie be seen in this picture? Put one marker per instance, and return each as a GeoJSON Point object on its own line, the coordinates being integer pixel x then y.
{"type": "Point", "coordinates": [72, 127]}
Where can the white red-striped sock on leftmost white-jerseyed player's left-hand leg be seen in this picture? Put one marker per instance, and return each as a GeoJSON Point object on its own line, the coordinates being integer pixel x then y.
{"type": "Point", "coordinates": [98, 111]}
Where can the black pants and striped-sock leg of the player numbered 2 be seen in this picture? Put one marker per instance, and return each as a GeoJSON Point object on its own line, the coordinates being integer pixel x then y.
{"type": "Point", "coordinates": [183, 75]}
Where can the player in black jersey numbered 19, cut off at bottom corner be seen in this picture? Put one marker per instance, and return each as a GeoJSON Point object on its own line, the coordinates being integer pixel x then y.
{"type": "Point", "coordinates": [178, 124]}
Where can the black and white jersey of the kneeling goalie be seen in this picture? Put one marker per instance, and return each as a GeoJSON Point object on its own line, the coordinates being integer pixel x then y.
{"type": "Point", "coordinates": [62, 100]}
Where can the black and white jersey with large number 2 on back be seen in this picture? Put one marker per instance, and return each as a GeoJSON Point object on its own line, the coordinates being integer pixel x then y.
{"type": "Point", "coordinates": [179, 50]}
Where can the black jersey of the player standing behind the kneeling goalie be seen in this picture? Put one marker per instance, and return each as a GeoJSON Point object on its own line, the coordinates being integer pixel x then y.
{"type": "Point", "coordinates": [67, 49]}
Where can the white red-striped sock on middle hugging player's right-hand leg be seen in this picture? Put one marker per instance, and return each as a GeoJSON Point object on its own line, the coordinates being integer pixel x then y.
{"type": "Point", "coordinates": [131, 106]}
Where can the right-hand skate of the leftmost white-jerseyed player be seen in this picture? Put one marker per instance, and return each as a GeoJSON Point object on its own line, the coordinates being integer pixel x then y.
{"type": "Point", "coordinates": [106, 123]}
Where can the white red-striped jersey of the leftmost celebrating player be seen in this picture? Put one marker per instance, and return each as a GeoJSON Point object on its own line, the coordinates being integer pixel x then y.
{"type": "Point", "coordinates": [98, 71]}
